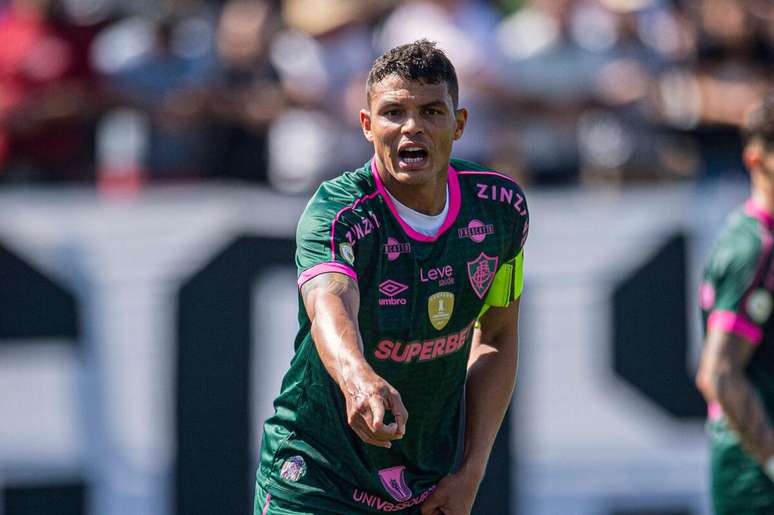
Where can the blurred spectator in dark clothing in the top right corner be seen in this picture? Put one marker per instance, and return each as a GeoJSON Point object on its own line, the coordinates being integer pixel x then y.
{"type": "Point", "coordinates": [732, 65]}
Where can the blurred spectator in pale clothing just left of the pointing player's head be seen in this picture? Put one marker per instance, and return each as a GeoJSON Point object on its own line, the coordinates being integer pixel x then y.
{"type": "Point", "coordinates": [322, 60]}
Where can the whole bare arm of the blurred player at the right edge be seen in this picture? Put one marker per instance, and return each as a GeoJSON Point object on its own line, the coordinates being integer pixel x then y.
{"type": "Point", "coordinates": [721, 379]}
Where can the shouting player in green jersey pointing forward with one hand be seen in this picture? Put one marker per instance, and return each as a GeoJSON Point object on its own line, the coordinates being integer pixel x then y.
{"type": "Point", "coordinates": [410, 274]}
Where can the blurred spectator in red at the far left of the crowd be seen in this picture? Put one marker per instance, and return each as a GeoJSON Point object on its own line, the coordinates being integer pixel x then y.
{"type": "Point", "coordinates": [49, 95]}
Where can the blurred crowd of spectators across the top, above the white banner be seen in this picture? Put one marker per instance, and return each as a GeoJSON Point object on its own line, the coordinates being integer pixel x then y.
{"type": "Point", "coordinates": [120, 93]}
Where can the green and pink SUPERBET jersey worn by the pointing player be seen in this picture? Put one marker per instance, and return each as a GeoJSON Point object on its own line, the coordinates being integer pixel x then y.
{"type": "Point", "coordinates": [419, 298]}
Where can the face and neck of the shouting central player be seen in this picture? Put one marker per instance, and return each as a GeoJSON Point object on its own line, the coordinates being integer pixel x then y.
{"type": "Point", "coordinates": [412, 113]}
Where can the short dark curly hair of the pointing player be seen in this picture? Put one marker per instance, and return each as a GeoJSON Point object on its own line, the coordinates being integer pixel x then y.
{"type": "Point", "coordinates": [418, 61]}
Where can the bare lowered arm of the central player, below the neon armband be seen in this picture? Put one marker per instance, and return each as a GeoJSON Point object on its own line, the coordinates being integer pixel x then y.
{"type": "Point", "coordinates": [491, 379]}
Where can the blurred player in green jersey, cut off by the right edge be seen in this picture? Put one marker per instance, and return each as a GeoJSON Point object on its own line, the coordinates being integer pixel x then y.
{"type": "Point", "coordinates": [736, 373]}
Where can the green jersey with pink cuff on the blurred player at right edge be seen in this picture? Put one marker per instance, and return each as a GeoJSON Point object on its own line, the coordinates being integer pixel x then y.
{"type": "Point", "coordinates": [736, 296]}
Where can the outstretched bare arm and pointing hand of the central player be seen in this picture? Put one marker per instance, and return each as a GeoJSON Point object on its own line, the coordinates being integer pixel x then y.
{"type": "Point", "coordinates": [332, 301]}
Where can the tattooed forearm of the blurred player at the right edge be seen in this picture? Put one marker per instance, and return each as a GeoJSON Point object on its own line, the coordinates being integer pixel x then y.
{"type": "Point", "coordinates": [745, 413]}
